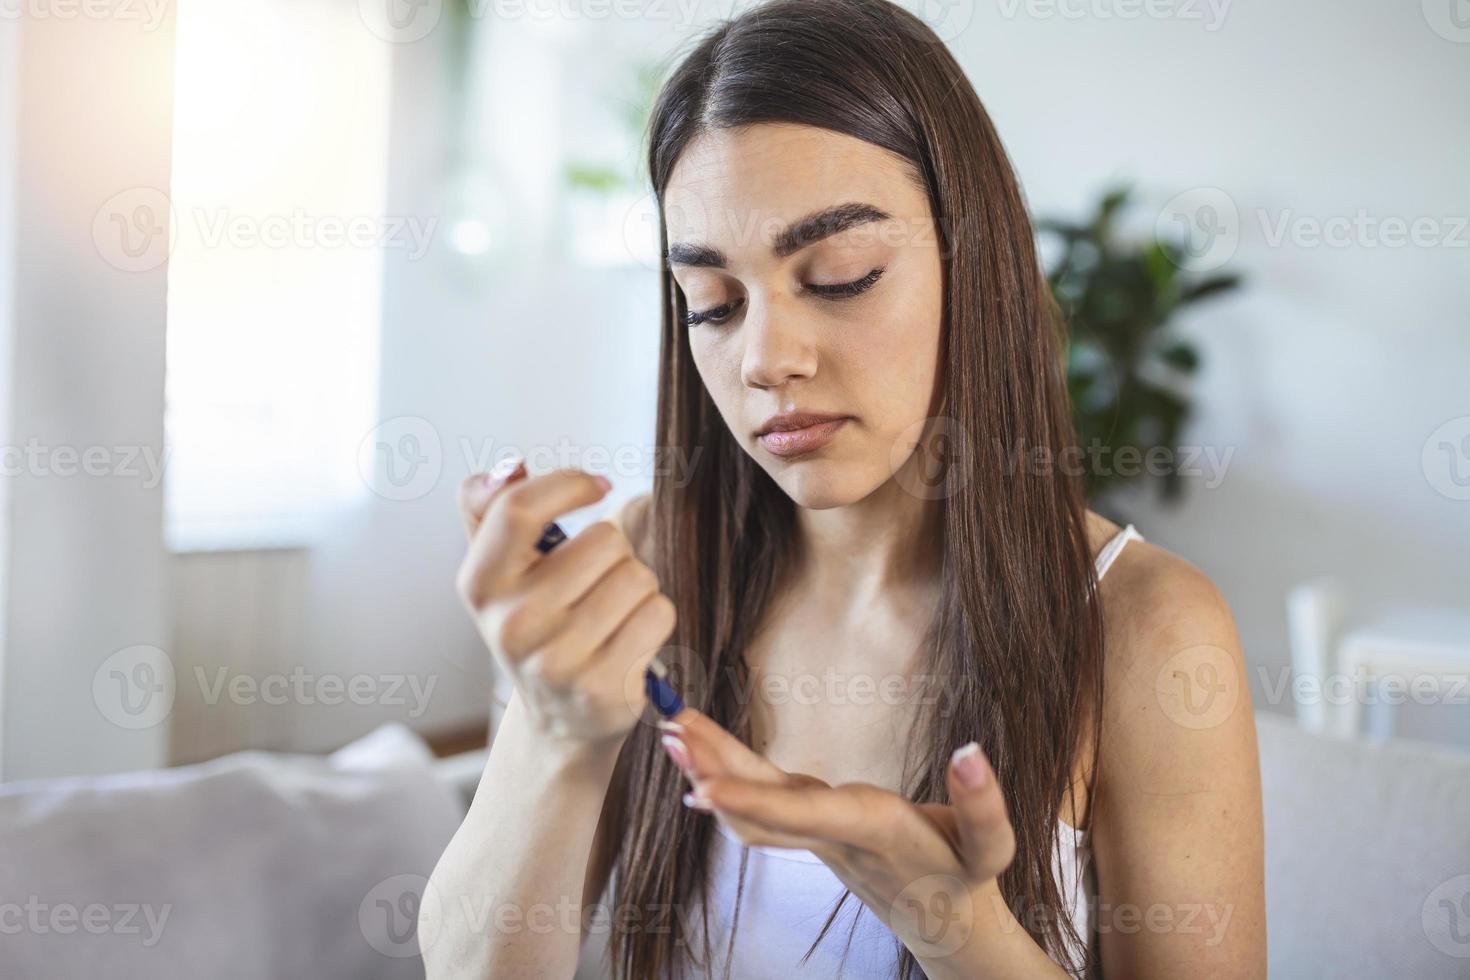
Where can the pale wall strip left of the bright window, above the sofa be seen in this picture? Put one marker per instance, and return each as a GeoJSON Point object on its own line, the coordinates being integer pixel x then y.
{"type": "Point", "coordinates": [86, 374]}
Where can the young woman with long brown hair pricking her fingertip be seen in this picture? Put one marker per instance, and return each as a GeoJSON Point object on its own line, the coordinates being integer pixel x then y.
{"type": "Point", "coordinates": [925, 731]}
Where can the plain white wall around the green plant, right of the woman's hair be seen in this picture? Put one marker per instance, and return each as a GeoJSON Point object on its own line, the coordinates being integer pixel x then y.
{"type": "Point", "coordinates": [1334, 367]}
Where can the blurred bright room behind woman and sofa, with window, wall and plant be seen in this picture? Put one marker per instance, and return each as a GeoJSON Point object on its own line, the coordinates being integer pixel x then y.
{"type": "Point", "coordinates": [277, 275]}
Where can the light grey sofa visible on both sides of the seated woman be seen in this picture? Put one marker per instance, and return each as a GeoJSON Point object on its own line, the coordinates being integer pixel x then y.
{"type": "Point", "coordinates": [261, 868]}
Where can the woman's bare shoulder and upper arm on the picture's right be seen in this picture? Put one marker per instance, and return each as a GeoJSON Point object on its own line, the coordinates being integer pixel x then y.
{"type": "Point", "coordinates": [1178, 816]}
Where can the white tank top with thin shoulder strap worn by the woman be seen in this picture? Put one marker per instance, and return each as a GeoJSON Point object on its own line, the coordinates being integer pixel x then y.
{"type": "Point", "coordinates": [790, 894]}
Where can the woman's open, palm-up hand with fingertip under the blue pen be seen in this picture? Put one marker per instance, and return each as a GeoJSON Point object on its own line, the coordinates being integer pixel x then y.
{"type": "Point", "coordinates": [924, 869]}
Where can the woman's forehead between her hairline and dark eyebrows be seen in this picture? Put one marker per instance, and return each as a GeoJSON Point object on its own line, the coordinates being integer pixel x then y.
{"type": "Point", "coordinates": [734, 189]}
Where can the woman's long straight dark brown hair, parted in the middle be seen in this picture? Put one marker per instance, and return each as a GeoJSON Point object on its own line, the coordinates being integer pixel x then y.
{"type": "Point", "coordinates": [1018, 630]}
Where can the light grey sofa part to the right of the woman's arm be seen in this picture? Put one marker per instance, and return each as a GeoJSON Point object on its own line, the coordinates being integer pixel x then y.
{"type": "Point", "coordinates": [1368, 856]}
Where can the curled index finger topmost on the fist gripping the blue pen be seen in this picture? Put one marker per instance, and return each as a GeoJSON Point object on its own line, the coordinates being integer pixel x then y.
{"type": "Point", "coordinates": [505, 543]}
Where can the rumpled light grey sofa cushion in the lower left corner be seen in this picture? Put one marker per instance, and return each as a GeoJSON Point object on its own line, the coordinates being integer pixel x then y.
{"type": "Point", "coordinates": [252, 866]}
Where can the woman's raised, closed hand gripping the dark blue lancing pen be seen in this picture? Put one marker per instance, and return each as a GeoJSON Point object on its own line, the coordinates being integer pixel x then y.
{"type": "Point", "coordinates": [577, 628]}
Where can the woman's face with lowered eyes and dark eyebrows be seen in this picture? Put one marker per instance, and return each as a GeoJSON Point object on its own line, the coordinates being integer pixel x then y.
{"type": "Point", "coordinates": [781, 337]}
